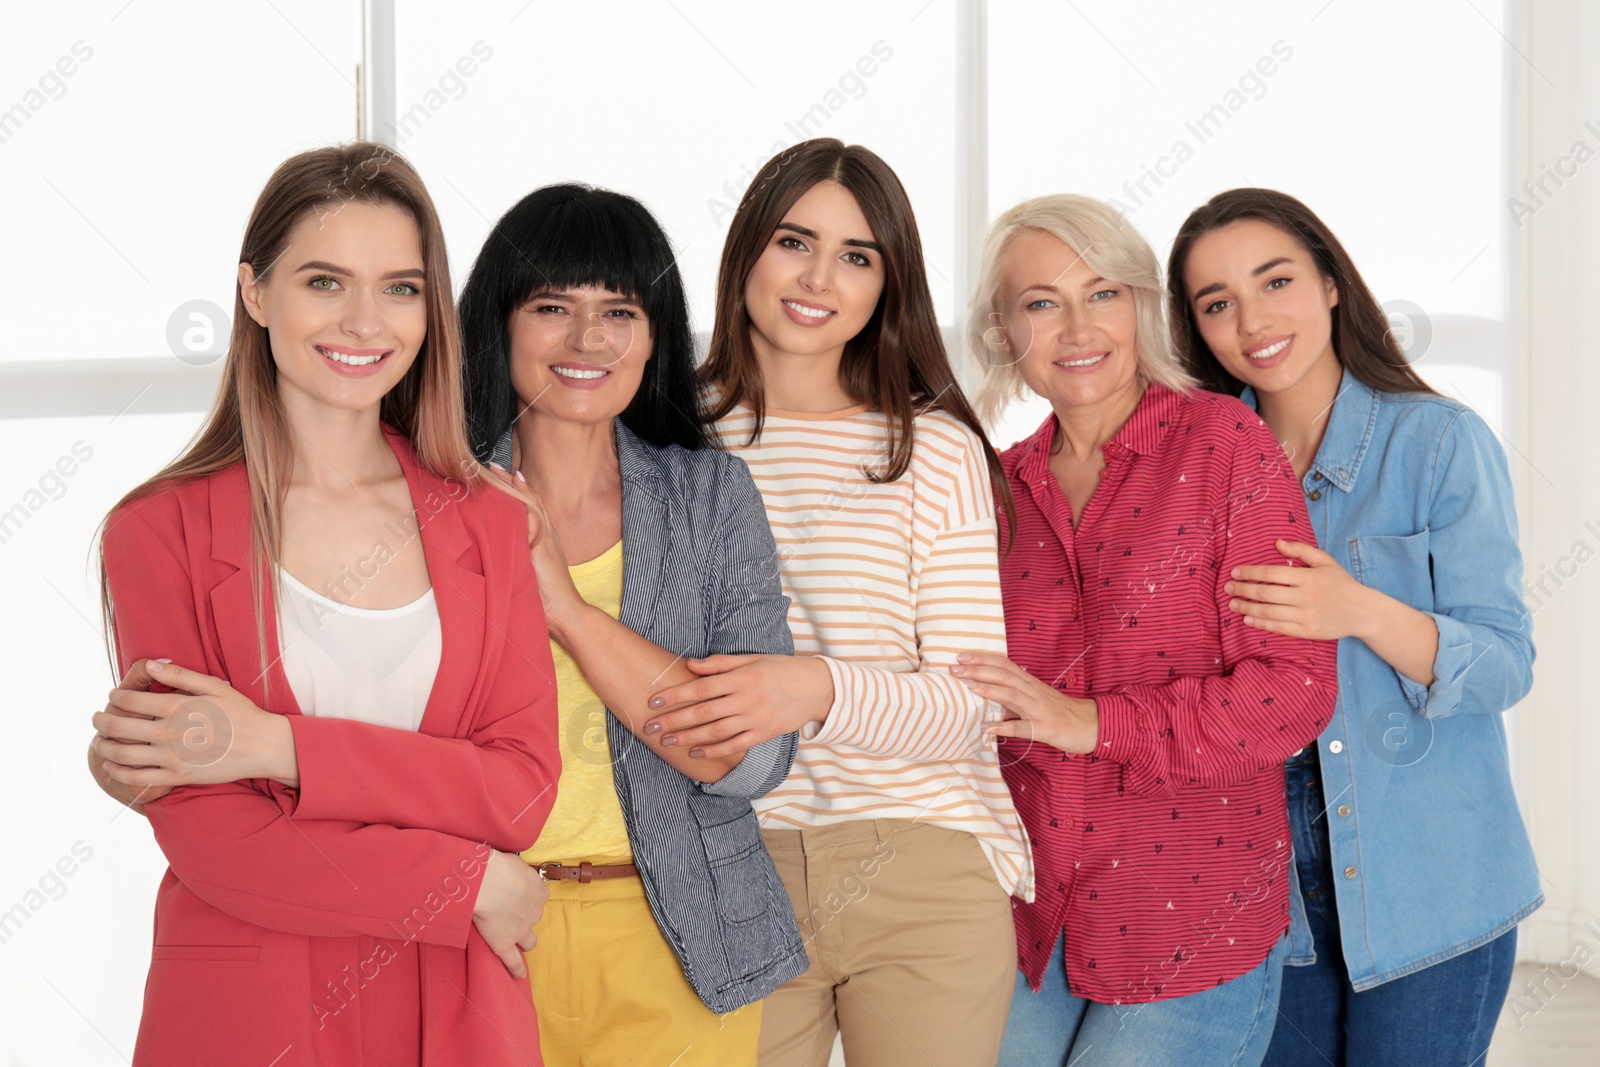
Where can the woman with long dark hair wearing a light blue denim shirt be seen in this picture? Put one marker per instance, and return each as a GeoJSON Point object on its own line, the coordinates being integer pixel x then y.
{"type": "Point", "coordinates": [1412, 860]}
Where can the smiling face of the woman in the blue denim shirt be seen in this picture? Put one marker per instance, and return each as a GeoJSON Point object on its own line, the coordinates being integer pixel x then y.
{"type": "Point", "coordinates": [1262, 306]}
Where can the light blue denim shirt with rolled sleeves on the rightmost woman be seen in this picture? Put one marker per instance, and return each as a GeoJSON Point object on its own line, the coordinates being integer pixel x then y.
{"type": "Point", "coordinates": [1410, 494]}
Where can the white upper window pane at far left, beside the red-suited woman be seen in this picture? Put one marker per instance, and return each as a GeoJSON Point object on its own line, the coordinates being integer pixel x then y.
{"type": "Point", "coordinates": [129, 182]}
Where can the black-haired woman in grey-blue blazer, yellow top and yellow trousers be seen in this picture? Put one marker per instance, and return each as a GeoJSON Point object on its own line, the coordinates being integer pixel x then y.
{"type": "Point", "coordinates": [666, 921]}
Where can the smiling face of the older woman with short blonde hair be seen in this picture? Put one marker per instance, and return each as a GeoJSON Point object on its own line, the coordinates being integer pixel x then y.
{"type": "Point", "coordinates": [1071, 332]}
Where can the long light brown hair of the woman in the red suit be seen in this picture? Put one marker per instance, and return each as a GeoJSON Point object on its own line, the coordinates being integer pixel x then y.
{"type": "Point", "coordinates": [246, 422]}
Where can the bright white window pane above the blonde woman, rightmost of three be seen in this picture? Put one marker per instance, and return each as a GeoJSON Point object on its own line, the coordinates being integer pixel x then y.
{"type": "Point", "coordinates": [1386, 119]}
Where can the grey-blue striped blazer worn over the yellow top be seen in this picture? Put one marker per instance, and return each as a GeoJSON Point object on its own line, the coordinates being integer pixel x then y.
{"type": "Point", "coordinates": [700, 577]}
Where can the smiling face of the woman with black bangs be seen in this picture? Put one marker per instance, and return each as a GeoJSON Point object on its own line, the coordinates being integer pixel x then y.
{"type": "Point", "coordinates": [578, 354]}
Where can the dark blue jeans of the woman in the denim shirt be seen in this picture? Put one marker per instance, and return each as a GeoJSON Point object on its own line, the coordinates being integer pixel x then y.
{"type": "Point", "coordinates": [1441, 1017]}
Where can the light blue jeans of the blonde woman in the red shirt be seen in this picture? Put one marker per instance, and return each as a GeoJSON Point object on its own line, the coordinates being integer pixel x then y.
{"type": "Point", "coordinates": [1226, 1026]}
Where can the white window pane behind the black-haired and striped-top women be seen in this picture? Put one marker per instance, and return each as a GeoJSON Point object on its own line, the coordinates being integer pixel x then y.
{"type": "Point", "coordinates": [676, 105]}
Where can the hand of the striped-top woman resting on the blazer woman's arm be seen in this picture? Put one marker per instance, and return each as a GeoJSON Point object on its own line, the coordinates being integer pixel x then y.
{"type": "Point", "coordinates": [742, 701]}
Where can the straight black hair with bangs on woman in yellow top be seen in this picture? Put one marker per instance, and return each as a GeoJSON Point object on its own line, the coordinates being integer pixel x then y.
{"type": "Point", "coordinates": [562, 238]}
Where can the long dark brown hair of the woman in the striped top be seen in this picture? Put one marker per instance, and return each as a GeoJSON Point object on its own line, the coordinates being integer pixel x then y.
{"type": "Point", "coordinates": [897, 364]}
